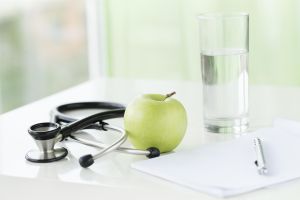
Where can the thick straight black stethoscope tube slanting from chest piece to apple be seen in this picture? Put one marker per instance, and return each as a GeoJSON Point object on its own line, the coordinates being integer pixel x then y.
{"type": "Point", "coordinates": [83, 123]}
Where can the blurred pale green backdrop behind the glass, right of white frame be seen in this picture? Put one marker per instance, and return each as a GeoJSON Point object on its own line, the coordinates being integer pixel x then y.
{"type": "Point", "coordinates": [154, 38]}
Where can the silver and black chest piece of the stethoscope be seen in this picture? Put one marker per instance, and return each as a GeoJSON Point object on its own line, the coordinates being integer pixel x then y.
{"type": "Point", "coordinates": [46, 135]}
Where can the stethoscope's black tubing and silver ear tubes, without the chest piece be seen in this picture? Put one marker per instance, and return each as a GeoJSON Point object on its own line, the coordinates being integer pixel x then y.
{"type": "Point", "coordinates": [70, 126]}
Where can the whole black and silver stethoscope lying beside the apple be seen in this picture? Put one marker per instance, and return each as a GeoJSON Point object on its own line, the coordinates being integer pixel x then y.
{"type": "Point", "coordinates": [64, 127]}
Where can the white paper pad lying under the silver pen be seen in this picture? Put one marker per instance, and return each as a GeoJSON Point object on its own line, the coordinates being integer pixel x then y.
{"type": "Point", "coordinates": [228, 169]}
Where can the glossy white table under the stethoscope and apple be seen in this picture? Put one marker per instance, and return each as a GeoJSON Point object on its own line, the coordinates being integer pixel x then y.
{"type": "Point", "coordinates": [111, 176]}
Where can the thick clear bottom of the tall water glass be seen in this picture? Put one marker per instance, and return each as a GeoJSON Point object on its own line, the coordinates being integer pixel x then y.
{"type": "Point", "coordinates": [227, 126]}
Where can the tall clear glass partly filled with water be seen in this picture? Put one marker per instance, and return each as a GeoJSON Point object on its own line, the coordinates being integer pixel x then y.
{"type": "Point", "coordinates": [224, 47]}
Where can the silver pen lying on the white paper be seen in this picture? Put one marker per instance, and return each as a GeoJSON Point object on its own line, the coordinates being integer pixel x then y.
{"type": "Point", "coordinates": [260, 158]}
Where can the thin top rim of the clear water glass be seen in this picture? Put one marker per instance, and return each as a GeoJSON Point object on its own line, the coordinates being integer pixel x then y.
{"type": "Point", "coordinates": [217, 15]}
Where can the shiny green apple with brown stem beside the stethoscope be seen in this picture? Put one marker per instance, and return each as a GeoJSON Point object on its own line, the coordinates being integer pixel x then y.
{"type": "Point", "coordinates": [155, 120]}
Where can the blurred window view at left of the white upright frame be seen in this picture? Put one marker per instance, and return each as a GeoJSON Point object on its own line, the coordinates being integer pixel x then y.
{"type": "Point", "coordinates": [43, 49]}
